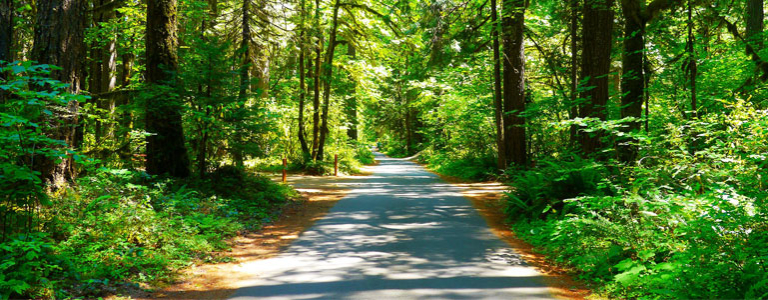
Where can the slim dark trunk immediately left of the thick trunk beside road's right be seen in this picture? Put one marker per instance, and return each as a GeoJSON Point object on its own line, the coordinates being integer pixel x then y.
{"type": "Point", "coordinates": [498, 101]}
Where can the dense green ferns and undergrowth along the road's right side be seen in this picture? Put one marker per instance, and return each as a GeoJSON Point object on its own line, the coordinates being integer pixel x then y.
{"type": "Point", "coordinates": [688, 222]}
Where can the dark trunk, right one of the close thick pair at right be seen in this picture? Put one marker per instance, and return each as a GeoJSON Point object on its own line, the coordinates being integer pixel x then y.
{"type": "Point", "coordinates": [633, 77]}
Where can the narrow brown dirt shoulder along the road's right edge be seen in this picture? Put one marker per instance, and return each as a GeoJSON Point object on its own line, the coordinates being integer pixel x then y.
{"type": "Point", "coordinates": [487, 198]}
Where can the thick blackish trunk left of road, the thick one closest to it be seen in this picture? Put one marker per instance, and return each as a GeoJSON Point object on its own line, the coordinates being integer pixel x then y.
{"type": "Point", "coordinates": [166, 151]}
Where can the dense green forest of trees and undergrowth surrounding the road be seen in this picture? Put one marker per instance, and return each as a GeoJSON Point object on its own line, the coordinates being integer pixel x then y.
{"type": "Point", "coordinates": [631, 133]}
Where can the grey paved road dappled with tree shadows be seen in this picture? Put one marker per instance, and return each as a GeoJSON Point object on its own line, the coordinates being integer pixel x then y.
{"type": "Point", "coordinates": [401, 233]}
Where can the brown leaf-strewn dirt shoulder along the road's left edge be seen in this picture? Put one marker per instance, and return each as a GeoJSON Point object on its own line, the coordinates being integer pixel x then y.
{"type": "Point", "coordinates": [219, 281]}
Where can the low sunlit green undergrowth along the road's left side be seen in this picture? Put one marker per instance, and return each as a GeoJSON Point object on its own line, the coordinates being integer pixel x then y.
{"type": "Point", "coordinates": [119, 228]}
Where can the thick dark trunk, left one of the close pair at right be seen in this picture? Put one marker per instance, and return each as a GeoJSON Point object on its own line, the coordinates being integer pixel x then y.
{"type": "Point", "coordinates": [595, 66]}
